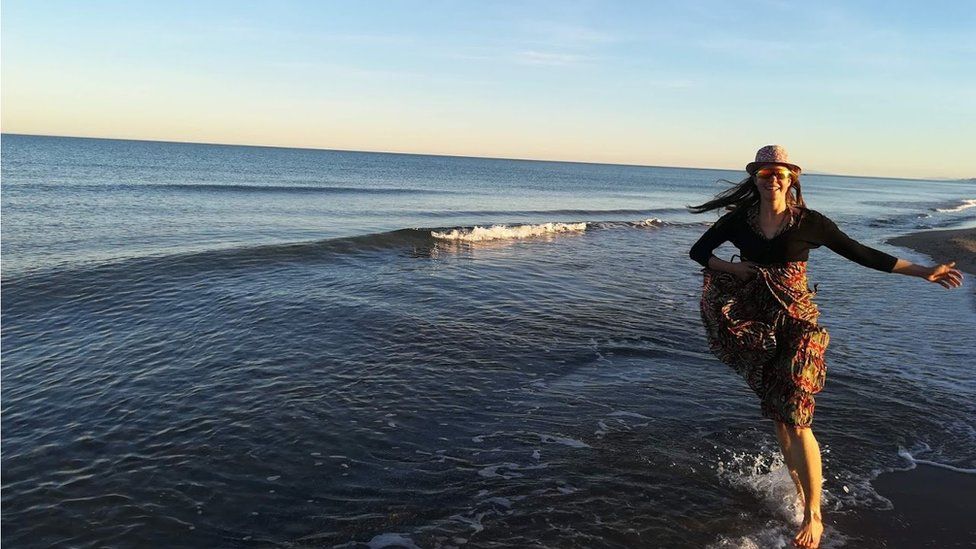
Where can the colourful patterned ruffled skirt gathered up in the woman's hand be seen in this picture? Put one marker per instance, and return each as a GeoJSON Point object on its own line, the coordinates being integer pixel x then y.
{"type": "Point", "coordinates": [766, 330]}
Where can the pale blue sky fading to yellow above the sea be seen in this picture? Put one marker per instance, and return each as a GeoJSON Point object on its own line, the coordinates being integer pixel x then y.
{"type": "Point", "coordinates": [883, 88]}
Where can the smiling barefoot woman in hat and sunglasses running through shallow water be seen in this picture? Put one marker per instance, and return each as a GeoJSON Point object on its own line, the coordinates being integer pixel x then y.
{"type": "Point", "coordinates": [759, 314]}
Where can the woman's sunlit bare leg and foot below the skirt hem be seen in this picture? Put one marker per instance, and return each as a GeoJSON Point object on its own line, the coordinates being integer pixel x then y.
{"type": "Point", "coordinates": [806, 456]}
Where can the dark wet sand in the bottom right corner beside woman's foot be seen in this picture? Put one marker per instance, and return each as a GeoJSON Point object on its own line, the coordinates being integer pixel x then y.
{"type": "Point", "coordinates": [933, 507]}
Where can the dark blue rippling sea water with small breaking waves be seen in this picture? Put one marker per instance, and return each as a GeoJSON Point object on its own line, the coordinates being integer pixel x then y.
{"type": "Point", "coordinates": [241, 346]}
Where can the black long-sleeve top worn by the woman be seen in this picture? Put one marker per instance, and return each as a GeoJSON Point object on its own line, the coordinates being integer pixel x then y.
{"type": "Point", "coordinates": [807, 229]}
